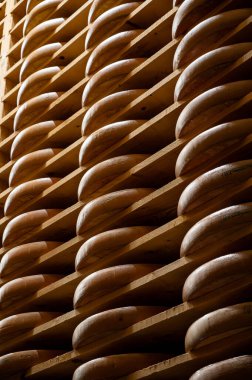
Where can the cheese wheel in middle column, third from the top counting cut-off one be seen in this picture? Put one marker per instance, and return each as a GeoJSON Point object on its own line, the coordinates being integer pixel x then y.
{"type": "Point", "coordinates": [108, 50]}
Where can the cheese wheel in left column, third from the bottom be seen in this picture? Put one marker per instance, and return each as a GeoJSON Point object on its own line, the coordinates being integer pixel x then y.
{"type": "Point", "coordinates": [23, 287]}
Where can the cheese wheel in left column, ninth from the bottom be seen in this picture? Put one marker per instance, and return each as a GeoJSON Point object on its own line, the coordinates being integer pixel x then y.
{"type": "Point", "coordinates": [32, 109]}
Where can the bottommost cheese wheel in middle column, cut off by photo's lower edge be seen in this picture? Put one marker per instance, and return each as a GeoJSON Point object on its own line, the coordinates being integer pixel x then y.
{"type": "Point", "coordinates": [116, 366]}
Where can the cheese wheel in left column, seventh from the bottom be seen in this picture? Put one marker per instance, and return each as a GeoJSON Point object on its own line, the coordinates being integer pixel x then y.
{"type": "Point", "coordinates": [29, 164]}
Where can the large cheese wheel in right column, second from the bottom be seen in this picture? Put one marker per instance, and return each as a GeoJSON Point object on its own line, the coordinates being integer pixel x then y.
{"type": "Point", "coordinates": [218, 325]}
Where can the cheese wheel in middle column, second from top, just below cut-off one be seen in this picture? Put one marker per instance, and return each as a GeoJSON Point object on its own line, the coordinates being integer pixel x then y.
{"type": "Point", "coordinates": [106, 22]}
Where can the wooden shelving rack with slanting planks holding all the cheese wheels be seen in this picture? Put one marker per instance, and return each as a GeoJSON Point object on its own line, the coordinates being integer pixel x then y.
{"type": "Point", "coordinates": [157, 139]}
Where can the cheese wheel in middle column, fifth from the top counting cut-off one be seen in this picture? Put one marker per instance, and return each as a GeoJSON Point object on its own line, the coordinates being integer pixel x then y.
{"type": "Point", "coordinates": [102, 111]}
